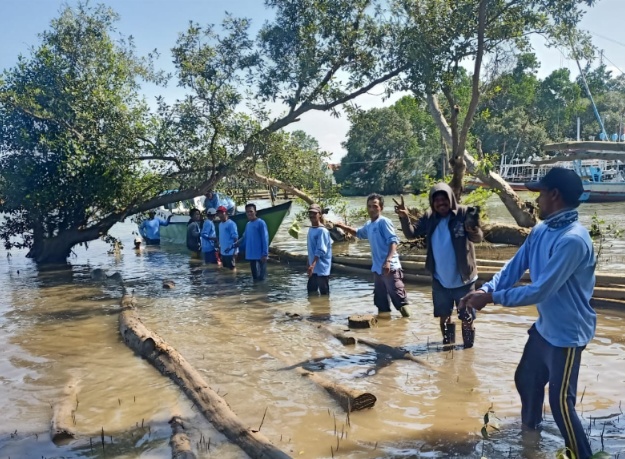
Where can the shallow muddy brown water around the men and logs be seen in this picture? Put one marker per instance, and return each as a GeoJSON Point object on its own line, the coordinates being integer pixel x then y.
{"type": "Point", "coordinates": [60, 326]}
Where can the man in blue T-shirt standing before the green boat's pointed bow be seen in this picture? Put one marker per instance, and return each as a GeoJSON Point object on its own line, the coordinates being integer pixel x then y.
{"type": "Point", "coordinates": [256, 242]}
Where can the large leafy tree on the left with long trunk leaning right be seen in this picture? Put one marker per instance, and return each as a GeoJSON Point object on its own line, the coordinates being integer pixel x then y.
{"type": "Point", "coordinates": [80, 149]}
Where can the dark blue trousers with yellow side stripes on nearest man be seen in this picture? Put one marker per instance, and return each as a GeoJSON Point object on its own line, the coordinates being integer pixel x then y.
{"type": "Point", "coordinates": [543, 363]}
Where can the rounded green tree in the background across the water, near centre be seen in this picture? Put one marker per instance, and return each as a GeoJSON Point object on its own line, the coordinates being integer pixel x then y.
{"type": "Point", "coordinates": [388, 149]}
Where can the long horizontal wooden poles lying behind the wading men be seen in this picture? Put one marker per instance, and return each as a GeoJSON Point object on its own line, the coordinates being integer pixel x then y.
{"type": "Point", "coordinates": [609, 288]}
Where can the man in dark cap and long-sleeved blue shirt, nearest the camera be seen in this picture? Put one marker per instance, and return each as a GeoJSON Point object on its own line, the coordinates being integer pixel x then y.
{"type": "Point", "coordinates": [561, 260]}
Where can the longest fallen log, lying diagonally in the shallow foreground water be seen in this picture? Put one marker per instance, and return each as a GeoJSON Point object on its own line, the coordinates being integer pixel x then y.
{"type": "Point", "coordinates": [172, 364]}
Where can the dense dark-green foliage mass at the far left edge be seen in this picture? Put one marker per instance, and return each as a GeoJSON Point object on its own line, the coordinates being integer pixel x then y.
{"type": "Point", "coordinates": [71, 130]}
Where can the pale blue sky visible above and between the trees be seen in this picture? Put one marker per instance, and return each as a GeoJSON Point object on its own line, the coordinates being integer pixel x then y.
{"type": "Point", "coordinates": [157, 23]}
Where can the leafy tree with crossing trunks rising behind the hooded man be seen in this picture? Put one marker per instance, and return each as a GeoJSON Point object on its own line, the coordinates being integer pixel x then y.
{"type": "Point", "coordinates": [437, 37]}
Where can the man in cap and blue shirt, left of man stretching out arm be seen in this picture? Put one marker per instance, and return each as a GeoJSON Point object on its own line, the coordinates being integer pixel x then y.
{"type": "Point", "coordinates": [319, 246]}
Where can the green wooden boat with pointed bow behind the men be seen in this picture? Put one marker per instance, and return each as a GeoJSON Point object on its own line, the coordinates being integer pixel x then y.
{"type": "Point", "coordinates": [176, 231]}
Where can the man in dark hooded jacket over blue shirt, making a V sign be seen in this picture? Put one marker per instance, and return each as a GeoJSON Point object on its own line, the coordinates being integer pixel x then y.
{"type": "Point", "coordinates": [449, 237]}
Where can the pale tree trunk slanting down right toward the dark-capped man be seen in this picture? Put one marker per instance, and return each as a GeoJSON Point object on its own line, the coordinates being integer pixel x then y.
{"type": "Point", "coordinates": [511, 200]}
